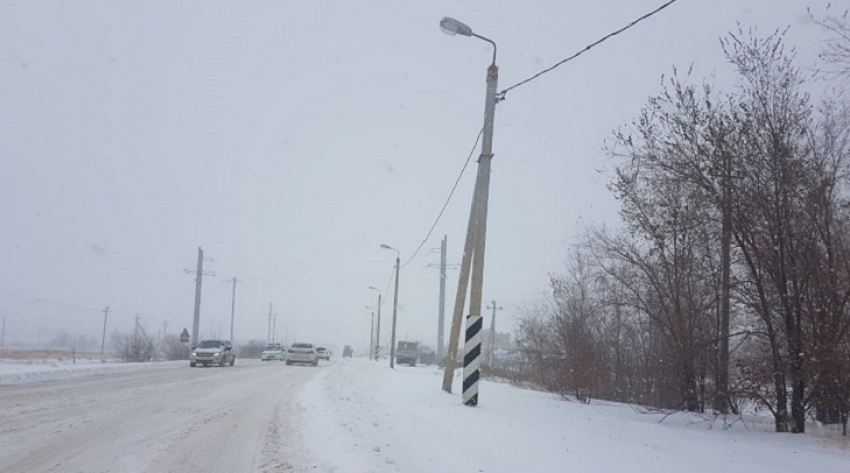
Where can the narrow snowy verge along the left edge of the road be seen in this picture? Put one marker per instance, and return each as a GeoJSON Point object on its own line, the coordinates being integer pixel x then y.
{"type": "Point", "coordinates": [16, 372]}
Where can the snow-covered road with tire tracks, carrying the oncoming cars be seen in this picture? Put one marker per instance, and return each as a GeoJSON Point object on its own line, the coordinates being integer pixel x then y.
{"type": "Point", "coordinates": [165, 419]}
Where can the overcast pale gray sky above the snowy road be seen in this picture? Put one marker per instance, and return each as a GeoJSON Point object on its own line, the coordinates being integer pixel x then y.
{"type": "Point", "coordinates": [291, 139]}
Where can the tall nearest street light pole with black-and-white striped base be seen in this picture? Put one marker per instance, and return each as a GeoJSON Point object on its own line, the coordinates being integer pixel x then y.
{"type": "Point", "coordinates": [478, 229]}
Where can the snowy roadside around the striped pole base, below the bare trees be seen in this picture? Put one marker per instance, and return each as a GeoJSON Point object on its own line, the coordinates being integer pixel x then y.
{"type": "Point", "coordinates": [359, 416]}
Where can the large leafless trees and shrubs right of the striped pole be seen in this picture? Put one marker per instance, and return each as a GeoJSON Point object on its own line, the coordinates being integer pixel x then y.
{"type": "Point", "coordinates": [729, 280]}
